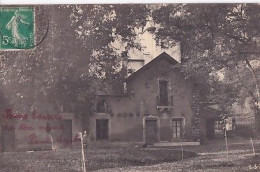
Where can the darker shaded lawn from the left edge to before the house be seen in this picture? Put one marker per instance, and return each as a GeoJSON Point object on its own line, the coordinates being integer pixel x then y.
{"type": "Point", "coordinates": [99, 156]}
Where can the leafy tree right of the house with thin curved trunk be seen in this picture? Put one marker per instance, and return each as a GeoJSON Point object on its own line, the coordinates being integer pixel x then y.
{"type": "Point", "coordinates": [212, 37]}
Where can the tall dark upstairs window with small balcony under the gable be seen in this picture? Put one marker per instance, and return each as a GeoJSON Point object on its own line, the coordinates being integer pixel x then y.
{"type": "Point", "coordinates": [163, 93]}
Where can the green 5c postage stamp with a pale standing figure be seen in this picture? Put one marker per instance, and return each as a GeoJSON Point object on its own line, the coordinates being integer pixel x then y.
{"type": "Point", "coordinates": [16, 28]}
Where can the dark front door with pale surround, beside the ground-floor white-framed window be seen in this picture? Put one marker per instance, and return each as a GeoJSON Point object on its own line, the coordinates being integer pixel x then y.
{"type": "Point", "coordinates": [151, 131]}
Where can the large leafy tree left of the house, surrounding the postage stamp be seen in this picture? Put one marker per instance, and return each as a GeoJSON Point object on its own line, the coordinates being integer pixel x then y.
{"type": "Point", "coordinates": [76, 52]}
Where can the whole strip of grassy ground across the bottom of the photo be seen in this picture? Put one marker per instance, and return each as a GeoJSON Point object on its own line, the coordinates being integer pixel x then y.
{"type": "Point", "coordinates": [105, 157]}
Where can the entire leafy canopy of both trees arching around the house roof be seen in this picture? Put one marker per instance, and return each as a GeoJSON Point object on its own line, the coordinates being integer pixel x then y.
{"type": "Point", "coordinates": [78, 54]}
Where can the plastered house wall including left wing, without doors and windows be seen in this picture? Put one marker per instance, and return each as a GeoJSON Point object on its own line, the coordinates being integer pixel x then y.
{"type": "Point", "coordinates": [126, 113]}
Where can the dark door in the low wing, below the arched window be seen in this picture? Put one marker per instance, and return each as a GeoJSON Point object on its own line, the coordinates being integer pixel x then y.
{"type": "Point", "coordinates": [102, 129]}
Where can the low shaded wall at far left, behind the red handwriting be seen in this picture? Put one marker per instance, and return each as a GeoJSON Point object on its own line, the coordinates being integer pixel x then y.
{"type": "Point", "coordinates": [38, 131]}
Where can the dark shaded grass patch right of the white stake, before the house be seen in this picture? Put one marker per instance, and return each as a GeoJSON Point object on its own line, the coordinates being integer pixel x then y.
{"type": "Point", "coordinates": [136, 157]}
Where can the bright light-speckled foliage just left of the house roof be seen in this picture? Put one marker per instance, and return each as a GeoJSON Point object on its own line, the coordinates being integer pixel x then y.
{"type": "Point", "coordinates": [99, 27]}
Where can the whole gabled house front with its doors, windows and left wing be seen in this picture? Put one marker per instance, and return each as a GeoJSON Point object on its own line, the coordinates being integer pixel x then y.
{"type": "Point", "coordinates": [158, 106]}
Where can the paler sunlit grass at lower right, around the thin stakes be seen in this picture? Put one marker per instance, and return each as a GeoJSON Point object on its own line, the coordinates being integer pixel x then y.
{"type": "Point", "coordinates": [212, 158]}
